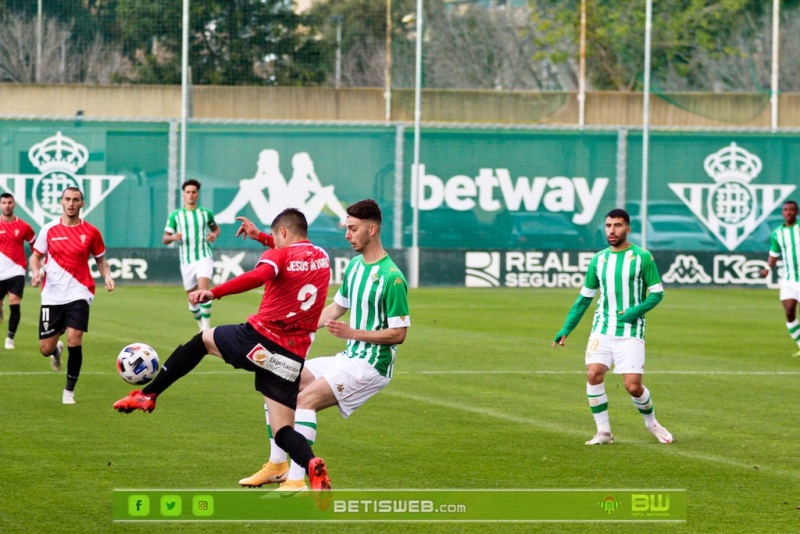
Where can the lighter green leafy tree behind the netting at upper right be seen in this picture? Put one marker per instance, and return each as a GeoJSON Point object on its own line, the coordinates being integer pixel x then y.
{"type": "Point", "coordinates": [685, 34]}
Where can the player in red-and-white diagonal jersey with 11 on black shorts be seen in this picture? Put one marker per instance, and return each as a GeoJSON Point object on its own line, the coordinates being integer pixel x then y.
{"type": "Point", "coordinates": [66, 245]}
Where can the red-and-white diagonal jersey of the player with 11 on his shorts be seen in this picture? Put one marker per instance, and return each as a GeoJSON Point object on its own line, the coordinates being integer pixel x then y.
{"type": "Point", "coordinates": [66, 251]}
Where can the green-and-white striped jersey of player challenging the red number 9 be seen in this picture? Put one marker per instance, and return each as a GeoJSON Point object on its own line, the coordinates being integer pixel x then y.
{"type": "Point", "coordinates": [377, 296]}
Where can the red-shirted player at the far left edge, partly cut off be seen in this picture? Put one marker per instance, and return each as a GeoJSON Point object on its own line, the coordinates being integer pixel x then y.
{"type": "Point", "coordinates": [14, 233]}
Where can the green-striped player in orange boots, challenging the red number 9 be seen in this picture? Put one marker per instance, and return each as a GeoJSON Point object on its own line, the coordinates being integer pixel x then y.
{"type": "Point", "coordinates": [376, 293]}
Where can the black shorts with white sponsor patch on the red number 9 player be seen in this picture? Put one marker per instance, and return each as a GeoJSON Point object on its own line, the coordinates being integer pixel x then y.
{"type": "Point", "coordinates": [277, 371]}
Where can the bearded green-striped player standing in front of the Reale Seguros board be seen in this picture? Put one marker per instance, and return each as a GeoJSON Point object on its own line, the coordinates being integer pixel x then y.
{"type": "Point", "coordinates": [630, 286]}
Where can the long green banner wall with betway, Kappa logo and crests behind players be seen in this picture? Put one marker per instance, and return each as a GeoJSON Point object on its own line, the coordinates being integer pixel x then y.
{"type": "Point", "coordinates": [483, 193]}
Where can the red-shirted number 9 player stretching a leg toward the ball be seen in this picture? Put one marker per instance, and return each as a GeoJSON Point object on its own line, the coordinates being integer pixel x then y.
{"type": "Point", "coordinates": [274, 341]}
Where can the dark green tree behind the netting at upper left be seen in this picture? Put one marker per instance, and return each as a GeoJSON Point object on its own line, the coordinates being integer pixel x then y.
{"type": "Point", "coordinates": [234, 42]}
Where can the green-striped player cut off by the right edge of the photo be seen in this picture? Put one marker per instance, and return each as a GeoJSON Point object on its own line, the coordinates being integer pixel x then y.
{"type": "Point", "coordinates": [785, 243]}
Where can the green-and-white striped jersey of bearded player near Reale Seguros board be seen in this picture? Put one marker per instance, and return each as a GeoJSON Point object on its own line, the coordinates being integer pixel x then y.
{"type": "Point", "coordinates": [623, 278]}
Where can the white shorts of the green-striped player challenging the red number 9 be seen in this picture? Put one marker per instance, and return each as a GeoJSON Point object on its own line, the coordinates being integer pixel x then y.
{"type": "Point", "coordinates": [352, 380]}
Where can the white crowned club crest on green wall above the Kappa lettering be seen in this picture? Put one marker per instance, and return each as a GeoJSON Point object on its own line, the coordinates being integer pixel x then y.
{"type": "Point", "coordinates": [732, 207]}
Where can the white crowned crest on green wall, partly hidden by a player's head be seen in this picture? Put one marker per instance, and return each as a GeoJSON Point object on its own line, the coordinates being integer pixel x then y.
{"type": "Point", "coordinates": [59, 158]}
